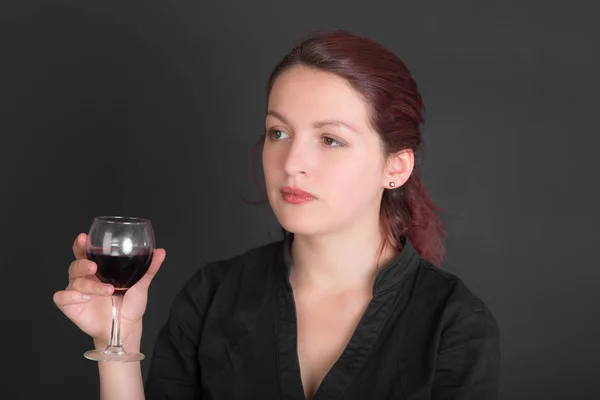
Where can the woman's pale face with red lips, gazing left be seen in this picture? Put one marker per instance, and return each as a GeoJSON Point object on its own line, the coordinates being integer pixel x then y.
{"type": "Point", "coordinates": [319, 140]}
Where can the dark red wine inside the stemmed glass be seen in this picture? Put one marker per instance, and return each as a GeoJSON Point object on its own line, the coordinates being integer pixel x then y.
{"type": "Point", "coordinates": [122, 271]}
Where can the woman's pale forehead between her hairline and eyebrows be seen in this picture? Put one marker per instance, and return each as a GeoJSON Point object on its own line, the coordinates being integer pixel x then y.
{"type": "Point", "coordinates": [305, 95]}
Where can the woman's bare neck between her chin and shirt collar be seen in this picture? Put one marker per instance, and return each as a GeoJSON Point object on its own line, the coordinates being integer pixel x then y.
{"type": "Point", "coordinates": [340, 261]}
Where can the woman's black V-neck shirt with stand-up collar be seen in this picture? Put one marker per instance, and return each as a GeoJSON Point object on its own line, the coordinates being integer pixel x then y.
{"type": "Point", "coordinates": [231, 334]}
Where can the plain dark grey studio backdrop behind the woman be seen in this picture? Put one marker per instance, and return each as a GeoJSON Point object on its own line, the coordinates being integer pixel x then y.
{"type": "Point", "coordinates": [152, 108]}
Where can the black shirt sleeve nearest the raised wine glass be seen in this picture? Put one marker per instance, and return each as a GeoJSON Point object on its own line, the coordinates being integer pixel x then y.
{"type": "Point", "coordinates": [174, 368]}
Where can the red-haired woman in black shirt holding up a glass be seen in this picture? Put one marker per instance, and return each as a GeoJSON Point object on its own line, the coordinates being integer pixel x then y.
{"type": "Point", "coordinates": [350, 304]}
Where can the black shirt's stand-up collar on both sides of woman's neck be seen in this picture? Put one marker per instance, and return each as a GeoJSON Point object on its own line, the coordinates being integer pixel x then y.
{"type": "Point", "coordinates": [387, 278]}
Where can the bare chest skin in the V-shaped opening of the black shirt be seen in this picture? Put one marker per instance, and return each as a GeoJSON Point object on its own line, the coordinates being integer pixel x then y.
{"type": "Point", "coordinates": [325, 326]}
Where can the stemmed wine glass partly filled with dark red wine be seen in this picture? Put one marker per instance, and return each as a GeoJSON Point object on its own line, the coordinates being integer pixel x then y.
{"type": "Point", "coordinates": [122, 248]}
